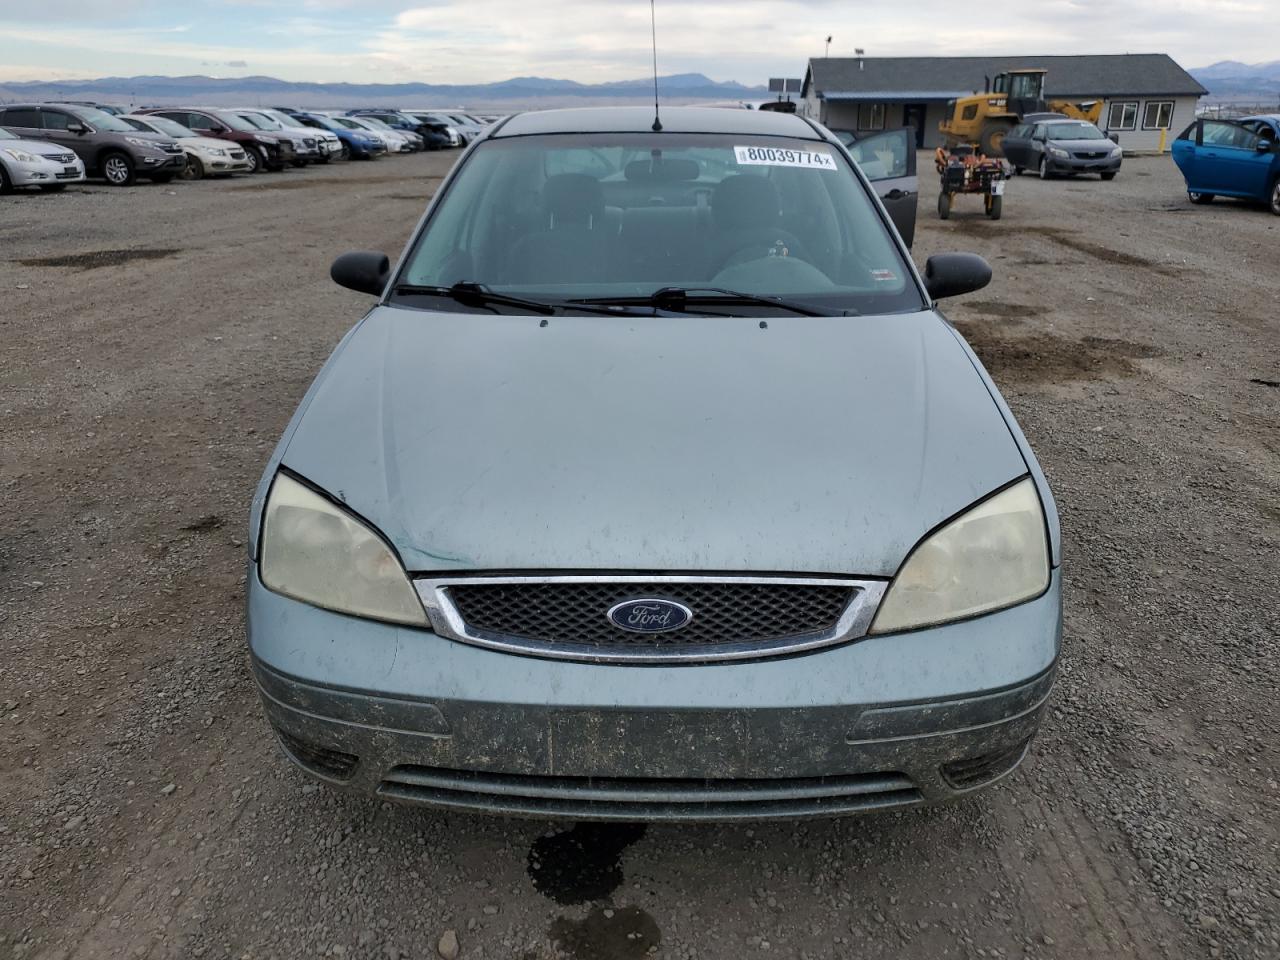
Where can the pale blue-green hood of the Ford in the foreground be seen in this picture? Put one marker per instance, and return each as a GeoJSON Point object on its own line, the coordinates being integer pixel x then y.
{"type": "Point", "coordinates": [812, 445]}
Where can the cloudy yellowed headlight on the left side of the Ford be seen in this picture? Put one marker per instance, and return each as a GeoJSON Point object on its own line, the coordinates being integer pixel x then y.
{"type": "Point", "coordinates": [316, 552]}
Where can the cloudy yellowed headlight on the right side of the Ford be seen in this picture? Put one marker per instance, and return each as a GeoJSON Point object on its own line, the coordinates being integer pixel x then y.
{"type": "Point", "coordinates": [994, 556]}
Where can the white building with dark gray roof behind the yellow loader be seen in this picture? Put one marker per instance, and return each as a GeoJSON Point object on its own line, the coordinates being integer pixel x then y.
{"type": "Point", "coordinates": [1148, 98]}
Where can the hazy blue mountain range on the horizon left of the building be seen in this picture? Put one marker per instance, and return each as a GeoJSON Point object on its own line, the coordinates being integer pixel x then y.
{"type": "Point", "coordinates": [509, 95]}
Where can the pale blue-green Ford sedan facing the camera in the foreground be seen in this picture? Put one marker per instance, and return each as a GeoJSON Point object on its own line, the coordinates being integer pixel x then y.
{"type": "Point", "coordinates": [656, 487]}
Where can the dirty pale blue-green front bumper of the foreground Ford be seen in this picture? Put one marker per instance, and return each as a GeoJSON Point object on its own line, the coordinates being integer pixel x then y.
{"type": "Point", "coordinates": [881, 723]}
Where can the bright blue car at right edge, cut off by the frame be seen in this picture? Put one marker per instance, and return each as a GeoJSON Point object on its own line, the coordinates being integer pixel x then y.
{"type": "Point", "coordinates": [1232, 159]}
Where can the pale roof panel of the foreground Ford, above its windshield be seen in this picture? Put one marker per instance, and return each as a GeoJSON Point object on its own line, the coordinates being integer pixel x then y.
{"type": "Point", "coordinates": [639, 120]}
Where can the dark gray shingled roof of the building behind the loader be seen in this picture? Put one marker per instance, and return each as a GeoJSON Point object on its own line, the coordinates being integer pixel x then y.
{"type": "Point", "coordinates": [1094, 76]}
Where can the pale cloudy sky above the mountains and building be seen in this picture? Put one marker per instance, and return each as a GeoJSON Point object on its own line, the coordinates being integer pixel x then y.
{"type": "Point", "coordinates": [588, 40]}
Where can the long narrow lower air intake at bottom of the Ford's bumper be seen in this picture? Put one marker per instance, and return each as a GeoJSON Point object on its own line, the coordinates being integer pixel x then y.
{"type": "Point", "coordinates": [614, 799]}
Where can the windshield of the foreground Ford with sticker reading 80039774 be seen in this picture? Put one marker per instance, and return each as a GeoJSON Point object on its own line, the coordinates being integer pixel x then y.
{"type": "Point", "coordinates": [624, 216]}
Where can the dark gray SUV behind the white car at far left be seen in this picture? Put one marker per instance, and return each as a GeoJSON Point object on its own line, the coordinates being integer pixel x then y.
{"type": "Point", "coordinates": [109, 148]}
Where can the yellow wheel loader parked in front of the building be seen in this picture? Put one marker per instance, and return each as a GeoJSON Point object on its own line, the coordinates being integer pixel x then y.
{"type": "Point", "coordinates": [984, 120]}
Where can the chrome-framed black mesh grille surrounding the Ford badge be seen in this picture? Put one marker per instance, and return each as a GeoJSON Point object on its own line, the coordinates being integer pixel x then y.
{"type": "Point", "coordinates": [733, 618]}
